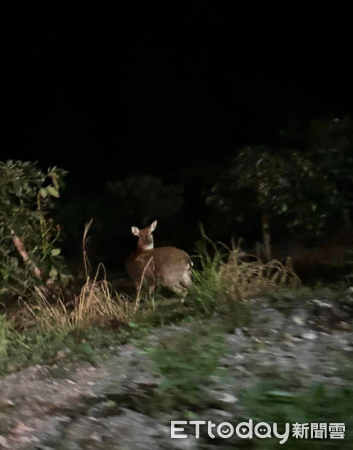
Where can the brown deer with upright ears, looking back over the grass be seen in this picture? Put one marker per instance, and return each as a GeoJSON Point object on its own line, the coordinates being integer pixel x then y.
{"type": "Point", "coordinates": [166, 266]}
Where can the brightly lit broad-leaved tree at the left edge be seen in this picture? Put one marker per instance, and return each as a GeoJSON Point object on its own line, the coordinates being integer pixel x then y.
{"type": "Point", "coordinates": [29, 252]}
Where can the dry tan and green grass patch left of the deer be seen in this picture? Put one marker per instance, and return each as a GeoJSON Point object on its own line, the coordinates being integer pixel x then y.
{"type": "Point", "coordinates": [83, 330]}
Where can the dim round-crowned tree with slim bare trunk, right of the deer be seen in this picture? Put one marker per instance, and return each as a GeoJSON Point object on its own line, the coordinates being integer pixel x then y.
{"type": "Point", "coordinates": [282, 185]}
